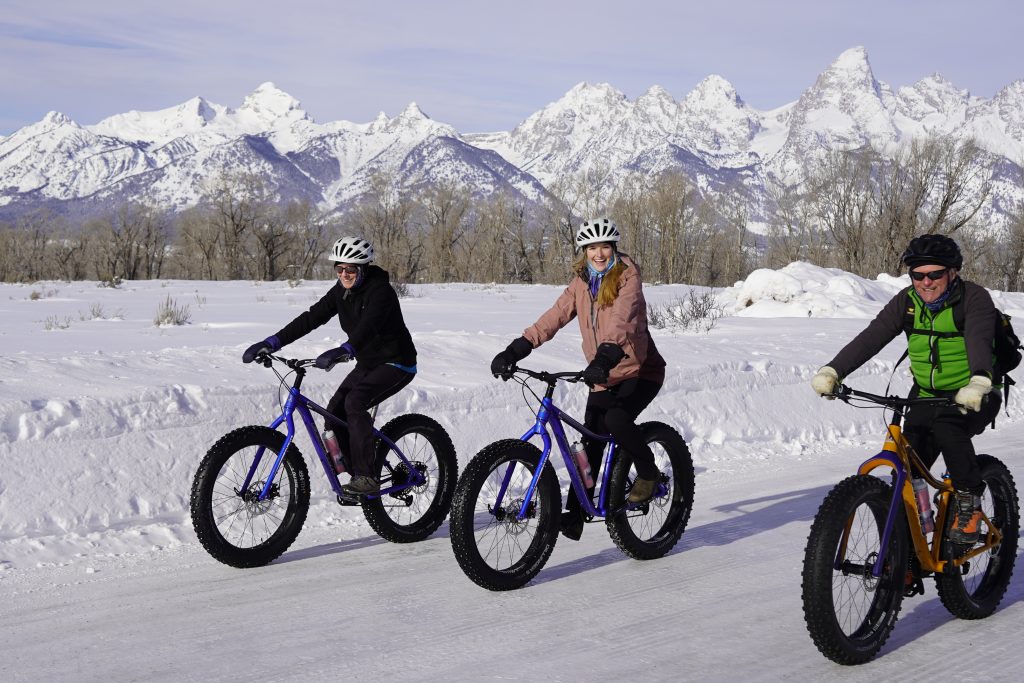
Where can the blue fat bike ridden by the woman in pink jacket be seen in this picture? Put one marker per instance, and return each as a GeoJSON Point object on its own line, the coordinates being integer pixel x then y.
{"type": "Point", "coordinates": [507, 506]}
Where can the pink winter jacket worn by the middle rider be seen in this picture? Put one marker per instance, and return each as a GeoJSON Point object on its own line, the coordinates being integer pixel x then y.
{"type": "Point", "coordinates": [624, 323]}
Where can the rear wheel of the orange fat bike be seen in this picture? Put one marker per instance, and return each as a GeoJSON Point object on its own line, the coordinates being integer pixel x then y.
{"type": "Point", "coordinates": [975, 589]}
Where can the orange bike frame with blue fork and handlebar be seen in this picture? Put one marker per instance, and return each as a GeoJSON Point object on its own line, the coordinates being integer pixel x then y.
{"type": "Point", "coordinates": [899, 455]}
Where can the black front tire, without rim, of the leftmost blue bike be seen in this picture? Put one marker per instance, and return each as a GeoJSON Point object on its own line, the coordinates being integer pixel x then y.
{"type": "Point", "coordinates": [293, 474]}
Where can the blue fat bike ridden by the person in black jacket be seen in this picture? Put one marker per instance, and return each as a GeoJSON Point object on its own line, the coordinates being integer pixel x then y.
{"type": "Point", "coordinates": [251, 492]}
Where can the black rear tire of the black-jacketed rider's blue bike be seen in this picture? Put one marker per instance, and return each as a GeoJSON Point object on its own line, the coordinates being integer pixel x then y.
{"type": "Point", "coordinates": [448, 473]}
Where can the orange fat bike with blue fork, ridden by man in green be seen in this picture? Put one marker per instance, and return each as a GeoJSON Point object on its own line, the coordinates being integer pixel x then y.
{"type": "Point", "coordinates": [874, 541]}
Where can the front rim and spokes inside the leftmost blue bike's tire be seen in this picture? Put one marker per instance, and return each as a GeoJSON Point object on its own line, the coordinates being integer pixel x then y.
{"type": "Point", "coordinates": [238, 516]}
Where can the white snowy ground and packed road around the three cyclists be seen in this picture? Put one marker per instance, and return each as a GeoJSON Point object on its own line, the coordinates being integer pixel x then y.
{"type": "Point", "coordinates": [104, 418]}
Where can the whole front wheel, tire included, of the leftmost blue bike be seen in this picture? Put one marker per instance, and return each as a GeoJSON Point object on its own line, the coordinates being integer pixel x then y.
{"type": "Point", "coordinates": [231, 524]}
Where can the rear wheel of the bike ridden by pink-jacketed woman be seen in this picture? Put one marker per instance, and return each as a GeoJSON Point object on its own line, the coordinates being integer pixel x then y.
{"type": "Point", "coordinates": [653, 529]}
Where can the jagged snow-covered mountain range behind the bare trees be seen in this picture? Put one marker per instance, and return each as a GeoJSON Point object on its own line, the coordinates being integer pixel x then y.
{"type": "Point", "coordinates": [169, 157]}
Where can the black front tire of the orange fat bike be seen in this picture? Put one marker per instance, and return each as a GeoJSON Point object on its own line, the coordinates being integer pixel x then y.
{"type": "Point", "coordinates": [863, 643]}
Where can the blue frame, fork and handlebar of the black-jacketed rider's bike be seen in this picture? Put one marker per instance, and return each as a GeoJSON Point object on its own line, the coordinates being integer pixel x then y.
{"type": "Point", "coordinates": [296, 402]}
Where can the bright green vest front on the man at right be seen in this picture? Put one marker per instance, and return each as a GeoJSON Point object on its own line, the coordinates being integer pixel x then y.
{"type": "Point", "coordinates": [936, 348]}
